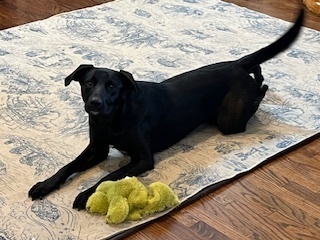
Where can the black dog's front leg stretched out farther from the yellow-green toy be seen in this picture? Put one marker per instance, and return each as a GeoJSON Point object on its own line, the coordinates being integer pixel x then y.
{"type": "Point", "coordinates": [91, 156]}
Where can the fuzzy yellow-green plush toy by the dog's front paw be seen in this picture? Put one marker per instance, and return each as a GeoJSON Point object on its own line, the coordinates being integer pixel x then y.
{"type": "Point", "coordinates": [129, 199]}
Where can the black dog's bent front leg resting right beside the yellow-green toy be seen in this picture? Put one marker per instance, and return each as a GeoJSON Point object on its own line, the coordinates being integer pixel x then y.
{"type": "Point", "coordinates": [141, 161]}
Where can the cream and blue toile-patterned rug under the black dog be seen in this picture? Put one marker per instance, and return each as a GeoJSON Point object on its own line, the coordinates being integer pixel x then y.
{"type": "Point", "coordinates": [43, 124]}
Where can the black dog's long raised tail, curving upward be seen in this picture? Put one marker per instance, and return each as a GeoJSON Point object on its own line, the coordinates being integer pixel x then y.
{"type": "Point", "coordinates": [264, 54]}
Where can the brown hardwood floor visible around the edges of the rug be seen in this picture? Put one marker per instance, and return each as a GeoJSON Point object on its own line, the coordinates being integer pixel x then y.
{"type": "Point", "coordinates": [280, 200]}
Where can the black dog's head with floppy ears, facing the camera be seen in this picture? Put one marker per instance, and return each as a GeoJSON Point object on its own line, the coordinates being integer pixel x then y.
{"type": "Point", "coordinates": [101, 88]}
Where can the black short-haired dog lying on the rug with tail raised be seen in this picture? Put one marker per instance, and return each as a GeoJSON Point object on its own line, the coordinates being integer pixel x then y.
{"type": "Point", "coordinates": [142, 118]}
